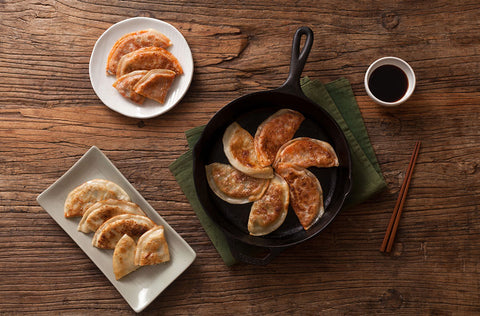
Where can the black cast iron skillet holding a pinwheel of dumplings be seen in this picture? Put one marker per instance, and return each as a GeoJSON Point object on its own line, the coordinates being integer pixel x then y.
{"type": "Point", "coordinates": [249, 111]}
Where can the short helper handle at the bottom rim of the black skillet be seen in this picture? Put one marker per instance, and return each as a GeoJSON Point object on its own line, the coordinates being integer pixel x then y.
{"type": "Point", "coordinates": [252, 254]}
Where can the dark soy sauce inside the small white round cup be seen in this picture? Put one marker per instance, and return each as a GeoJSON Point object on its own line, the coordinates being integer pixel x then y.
{"type": "Point", "coordinates": [388, 83]}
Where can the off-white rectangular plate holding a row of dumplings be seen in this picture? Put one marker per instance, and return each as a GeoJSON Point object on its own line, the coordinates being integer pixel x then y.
{"type": "Point", "coordinates": [140, 287]}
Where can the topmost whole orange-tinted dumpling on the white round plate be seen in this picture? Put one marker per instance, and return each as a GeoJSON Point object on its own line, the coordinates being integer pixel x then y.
{"type": "Point", "coordinates": [134, 41]}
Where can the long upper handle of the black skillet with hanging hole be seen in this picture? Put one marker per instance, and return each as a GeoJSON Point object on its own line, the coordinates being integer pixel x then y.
{"type": "Point", "coordinates": [297, 61]}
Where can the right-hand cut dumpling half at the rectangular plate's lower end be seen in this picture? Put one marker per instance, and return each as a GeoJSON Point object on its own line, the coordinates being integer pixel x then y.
{"type": "Point", "coordinates": [152, 247]}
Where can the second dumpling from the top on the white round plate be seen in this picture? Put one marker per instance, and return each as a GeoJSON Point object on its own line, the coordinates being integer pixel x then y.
{"type": "Point", "coordinates": [148, 58]}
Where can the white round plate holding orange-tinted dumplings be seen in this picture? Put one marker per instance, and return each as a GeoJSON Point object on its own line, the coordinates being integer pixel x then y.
{"type": "Point", "coordinates": [102, 84]}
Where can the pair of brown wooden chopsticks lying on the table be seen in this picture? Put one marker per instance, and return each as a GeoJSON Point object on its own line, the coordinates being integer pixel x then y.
{"type": "Point", "coordinates": [387, 243]}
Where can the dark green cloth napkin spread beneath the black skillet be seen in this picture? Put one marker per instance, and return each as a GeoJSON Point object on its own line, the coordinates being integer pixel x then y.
{"type": "Point", "coordinates": [338, 100]}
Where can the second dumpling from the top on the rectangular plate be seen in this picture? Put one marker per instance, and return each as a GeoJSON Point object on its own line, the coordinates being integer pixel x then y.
{"type": "Point", "coordinates": [101, 211]}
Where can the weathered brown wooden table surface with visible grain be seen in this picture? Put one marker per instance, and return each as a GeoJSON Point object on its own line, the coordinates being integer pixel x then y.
{"type": "Point", "coordinates": [50, 116]}
